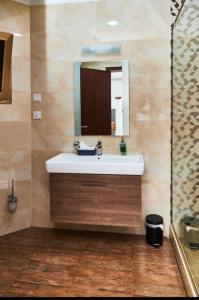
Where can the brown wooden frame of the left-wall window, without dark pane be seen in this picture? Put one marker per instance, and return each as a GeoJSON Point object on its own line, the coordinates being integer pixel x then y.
{"type": "Point", "coordinates": [6, 91]}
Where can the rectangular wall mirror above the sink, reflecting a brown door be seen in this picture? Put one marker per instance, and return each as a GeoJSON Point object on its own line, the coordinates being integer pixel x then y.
{"type": "Point", "coordinates": [101, 98]}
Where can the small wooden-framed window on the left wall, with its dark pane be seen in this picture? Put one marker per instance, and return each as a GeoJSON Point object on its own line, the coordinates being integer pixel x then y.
{"type": "Point", "coordinates": [6, 41]}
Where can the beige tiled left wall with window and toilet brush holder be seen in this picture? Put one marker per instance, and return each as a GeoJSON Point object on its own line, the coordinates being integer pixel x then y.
{"type": "Point", "coordinates": [15, 121]}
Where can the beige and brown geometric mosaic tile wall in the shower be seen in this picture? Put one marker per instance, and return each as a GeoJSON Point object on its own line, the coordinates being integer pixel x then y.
{"type": "Point", "coordinates": [186, 114]}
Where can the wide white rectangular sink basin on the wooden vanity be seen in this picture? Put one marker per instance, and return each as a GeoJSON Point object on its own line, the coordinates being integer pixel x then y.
{"type": "Point", "coordinates": [103, 164]}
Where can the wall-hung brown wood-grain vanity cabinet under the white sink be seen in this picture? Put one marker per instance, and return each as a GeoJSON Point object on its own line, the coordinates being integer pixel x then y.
{"type": "Point", "coordinates": [112, 200]}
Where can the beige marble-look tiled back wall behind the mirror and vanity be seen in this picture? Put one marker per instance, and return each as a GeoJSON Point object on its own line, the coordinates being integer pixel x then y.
{"type": "Point", "coordinates": [57, 35]}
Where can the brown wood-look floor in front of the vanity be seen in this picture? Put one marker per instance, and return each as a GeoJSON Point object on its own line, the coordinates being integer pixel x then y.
{"type": "Point", "coordinates": [46, 262]}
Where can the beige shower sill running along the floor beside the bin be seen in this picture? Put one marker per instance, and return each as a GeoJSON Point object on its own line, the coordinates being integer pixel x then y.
{"type": "Point", "coordinates": [183, 265]}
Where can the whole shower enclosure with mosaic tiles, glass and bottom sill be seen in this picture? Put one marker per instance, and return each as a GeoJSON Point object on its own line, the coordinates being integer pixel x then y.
{"type": "Point", "coordinates": [185, 142]}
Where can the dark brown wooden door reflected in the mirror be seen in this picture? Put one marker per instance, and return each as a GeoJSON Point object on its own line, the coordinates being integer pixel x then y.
{"type": "Point", "coordinates": [95, 102]}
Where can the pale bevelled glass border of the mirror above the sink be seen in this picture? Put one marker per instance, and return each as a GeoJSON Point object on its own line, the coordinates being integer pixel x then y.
{"type": "Point", "coordinates": [77, 94]}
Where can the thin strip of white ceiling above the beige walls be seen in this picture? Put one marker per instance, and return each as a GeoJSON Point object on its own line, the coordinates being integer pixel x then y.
{"type": "Point", "coordinates": [51, 2]}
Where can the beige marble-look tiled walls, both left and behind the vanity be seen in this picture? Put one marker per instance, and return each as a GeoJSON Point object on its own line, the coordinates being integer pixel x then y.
{"type": "Point", "coordinates": [56, 41]}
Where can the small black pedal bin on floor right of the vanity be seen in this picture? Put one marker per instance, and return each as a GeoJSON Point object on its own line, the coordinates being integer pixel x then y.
{"type": "Point", "coordinates": [154, 230]}
